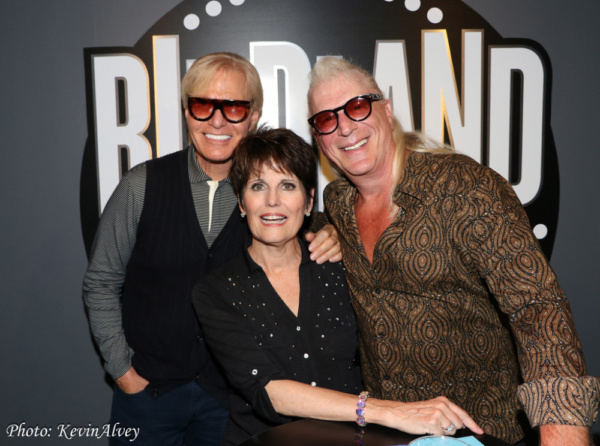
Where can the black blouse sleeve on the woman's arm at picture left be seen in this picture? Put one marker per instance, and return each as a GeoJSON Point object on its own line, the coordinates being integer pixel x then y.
{"type": "Point", "coordinates": [247, 368]}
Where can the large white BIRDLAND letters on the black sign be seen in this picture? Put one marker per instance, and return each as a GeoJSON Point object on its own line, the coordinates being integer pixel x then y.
{"type": "Point", "coordinates": [122, 114]}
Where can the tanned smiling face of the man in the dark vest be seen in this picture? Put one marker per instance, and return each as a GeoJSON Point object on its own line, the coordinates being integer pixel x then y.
{"type": "Point", "coordinates": [216, 139]}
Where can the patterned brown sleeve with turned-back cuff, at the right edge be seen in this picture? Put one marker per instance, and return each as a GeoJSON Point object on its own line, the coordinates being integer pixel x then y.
{"type": "Point", "coordinates": [556, 389]}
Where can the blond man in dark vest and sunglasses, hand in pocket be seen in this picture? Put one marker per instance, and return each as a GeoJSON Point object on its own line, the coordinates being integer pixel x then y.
{"type": "Point", "coordinates": [170, 221]}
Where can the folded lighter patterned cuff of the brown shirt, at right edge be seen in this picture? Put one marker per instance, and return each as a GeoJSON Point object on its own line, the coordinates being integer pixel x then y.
{"type": "Point", "coordinates": [570, 401]}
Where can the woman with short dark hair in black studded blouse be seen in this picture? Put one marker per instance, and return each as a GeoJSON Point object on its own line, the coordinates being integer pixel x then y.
{"type": "Point", "coordinates": [280, 325]}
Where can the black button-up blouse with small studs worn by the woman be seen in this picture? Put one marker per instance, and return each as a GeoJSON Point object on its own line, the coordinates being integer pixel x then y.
{"type": "Point", "coordinates": [256, 338]}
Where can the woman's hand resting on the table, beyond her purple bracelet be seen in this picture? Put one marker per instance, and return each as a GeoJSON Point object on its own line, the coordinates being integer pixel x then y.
{"type": "Point", "coordinates": [438, 416]}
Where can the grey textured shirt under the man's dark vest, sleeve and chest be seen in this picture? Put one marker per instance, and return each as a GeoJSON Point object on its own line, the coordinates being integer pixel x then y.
{"type": "Point", "coordinates": [114, 242]}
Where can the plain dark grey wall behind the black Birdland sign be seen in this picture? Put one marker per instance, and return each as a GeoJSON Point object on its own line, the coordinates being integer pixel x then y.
{"type": "Point", "coordinates": [50, 373]}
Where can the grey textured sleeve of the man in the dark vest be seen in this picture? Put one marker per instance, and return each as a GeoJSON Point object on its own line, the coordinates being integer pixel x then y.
{"type": "Point", "coordinates": [105, 275]}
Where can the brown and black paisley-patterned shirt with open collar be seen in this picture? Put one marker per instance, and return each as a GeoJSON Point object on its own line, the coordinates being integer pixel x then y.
{"type": "Point", "coordinates": [457, 287]}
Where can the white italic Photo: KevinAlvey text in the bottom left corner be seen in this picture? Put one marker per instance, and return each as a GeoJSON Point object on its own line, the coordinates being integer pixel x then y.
{"type": "Point", "coordinates": [70, 432]}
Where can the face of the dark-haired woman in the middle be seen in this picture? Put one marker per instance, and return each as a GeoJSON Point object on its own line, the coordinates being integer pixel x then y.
{"type": "Point", "coordinates": [275, 204]}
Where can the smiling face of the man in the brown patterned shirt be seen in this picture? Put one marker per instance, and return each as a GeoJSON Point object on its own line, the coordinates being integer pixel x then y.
{"type": "Point", "coordinates": [361, 150]}
